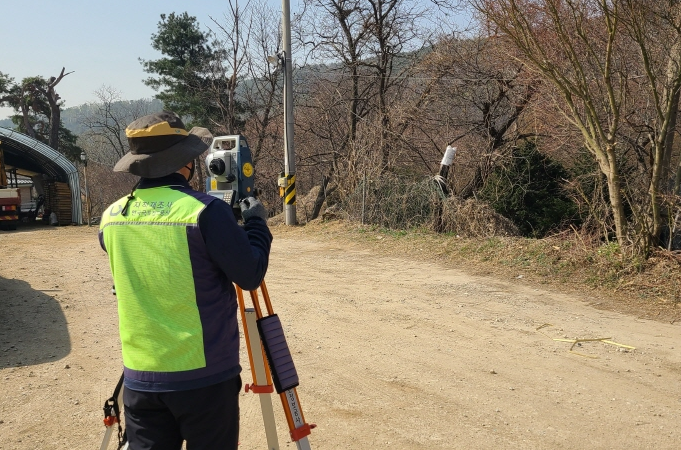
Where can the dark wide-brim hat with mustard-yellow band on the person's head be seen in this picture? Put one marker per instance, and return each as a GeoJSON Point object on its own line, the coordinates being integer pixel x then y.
{"type": "Point", "coordinates": [160, 145]}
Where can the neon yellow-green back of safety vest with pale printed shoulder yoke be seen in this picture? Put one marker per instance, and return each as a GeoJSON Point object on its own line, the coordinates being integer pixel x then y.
{"type": "Point", "coordinates": [160, 325]}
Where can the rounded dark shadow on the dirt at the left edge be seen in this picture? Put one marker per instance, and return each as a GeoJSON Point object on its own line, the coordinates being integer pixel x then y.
{"type": "Point", "coordinates": [33, 328]}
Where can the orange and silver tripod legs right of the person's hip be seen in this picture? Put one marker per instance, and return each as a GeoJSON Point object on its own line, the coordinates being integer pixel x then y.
{"type": "Point", "coordinates": [271, 363]}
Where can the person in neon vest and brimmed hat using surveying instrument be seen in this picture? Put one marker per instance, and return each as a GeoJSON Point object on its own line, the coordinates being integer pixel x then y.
{"type": "Point", "coordinates": [174, 254]}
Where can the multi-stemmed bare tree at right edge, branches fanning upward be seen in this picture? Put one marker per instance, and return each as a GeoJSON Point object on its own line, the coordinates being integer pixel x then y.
{"type": "Point", "coordinates": [597, 53]}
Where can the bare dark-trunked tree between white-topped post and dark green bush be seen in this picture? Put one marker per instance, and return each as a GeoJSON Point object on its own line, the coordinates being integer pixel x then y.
{"type": "Point", "coordinates": [473, 94]}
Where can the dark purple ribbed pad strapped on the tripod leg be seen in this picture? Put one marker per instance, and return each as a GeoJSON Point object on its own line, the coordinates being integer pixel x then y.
{"type": "Point", "coordinates": [284, 373]}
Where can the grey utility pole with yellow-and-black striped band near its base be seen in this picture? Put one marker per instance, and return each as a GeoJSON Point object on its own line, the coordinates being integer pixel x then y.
{"type": "Point", "coordinates": [289, 153]}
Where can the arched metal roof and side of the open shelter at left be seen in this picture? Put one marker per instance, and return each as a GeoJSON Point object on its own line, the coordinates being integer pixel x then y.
{"type": "Point", "coordinates": [31, 157]}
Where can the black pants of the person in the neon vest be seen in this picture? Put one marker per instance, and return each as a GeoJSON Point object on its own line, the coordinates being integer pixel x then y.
{"type": "Point", "coordinates": [207, 418]}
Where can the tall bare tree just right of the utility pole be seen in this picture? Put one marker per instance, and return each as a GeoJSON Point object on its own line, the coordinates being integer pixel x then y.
{"type": "Point", "coordinates": [367, 49]}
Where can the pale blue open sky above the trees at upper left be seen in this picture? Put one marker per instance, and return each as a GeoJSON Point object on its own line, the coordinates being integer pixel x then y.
{"type": "Point", "coordinates": [101, 42]}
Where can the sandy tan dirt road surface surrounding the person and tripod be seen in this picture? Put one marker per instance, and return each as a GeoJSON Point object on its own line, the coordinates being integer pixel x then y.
{"type": "Point", "coordinates": [392, 353]}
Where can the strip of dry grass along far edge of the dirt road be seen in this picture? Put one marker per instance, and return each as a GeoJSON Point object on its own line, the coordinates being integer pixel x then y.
{"type": "Point", "coordinates": [475, 237]}
